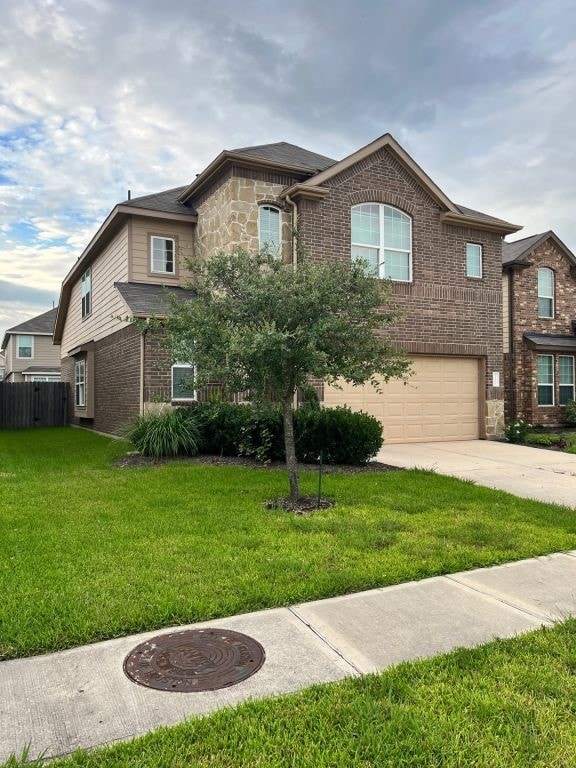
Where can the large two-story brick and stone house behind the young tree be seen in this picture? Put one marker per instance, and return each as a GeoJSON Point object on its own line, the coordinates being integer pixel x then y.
{"type": "Point", "coordinates": [443, 261]}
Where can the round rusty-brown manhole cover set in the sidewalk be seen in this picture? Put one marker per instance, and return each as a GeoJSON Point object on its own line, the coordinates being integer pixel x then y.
{"type": "Point", "coordinates": [194, 660]}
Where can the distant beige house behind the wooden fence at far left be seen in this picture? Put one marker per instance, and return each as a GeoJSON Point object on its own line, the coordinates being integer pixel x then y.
{"type": "Point", "coordinates": [29, 351]}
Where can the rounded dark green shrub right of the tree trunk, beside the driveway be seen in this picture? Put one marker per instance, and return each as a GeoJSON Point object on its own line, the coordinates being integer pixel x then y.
{"type": "Point", "coordinates": [343, 436]}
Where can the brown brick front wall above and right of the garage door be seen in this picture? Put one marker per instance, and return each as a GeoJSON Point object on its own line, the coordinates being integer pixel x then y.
{"type": "Point", "coordinates": [444, 311]}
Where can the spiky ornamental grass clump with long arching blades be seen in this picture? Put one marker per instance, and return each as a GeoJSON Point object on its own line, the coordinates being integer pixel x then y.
{"type": "Point", "coordinates": [168, 432]}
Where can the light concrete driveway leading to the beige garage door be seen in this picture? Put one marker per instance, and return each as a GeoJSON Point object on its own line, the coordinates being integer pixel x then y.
{"type": "Point", "coordinates": [529, 472]}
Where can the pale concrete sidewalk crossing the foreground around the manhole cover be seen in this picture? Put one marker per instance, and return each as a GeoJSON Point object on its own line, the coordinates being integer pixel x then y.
{"type": "Point", "coordinates": [81, 697]}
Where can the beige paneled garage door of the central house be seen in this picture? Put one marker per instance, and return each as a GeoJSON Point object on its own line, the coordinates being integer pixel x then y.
{"type": "Point", "coordinates": [439, 402]}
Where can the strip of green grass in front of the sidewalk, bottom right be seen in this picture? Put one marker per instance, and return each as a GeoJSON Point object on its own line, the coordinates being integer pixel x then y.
{"type": "Point", "coordinates": [508, 704]}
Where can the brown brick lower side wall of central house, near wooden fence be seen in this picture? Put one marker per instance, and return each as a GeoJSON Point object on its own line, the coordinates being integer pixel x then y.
{"type": "Point", "coordinates": [116, 381]}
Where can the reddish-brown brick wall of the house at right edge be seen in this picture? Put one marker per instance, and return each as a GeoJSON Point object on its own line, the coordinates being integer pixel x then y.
{"type": "Point", "coordinates": [520, 378]}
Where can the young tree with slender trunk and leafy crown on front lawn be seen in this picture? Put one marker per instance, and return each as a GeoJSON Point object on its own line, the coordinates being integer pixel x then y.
{"type": "Point", "coordinates": [262, 327]}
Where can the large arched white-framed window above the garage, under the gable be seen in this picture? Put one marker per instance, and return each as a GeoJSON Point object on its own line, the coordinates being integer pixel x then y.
{"type": "Point", "coordinates": [382, 236]}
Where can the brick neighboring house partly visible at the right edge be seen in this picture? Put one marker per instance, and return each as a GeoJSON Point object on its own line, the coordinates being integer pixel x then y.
{"type": "Point", "coordinates": [539, 291]}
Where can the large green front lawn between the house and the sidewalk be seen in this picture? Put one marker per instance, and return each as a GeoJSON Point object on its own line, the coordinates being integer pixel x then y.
{"type": "Point", "coordinates": [89, 551]}
